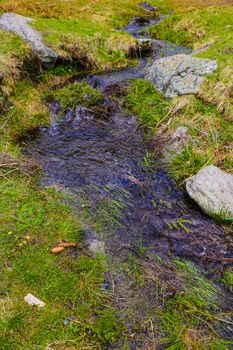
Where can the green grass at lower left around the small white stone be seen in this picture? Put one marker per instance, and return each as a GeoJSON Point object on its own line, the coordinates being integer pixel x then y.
{"type": "Point", "coordinates": [32, 222]}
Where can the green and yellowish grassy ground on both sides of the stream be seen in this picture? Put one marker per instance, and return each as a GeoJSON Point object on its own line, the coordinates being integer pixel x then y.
{"type": "Point", "coordinates": [33, 220]}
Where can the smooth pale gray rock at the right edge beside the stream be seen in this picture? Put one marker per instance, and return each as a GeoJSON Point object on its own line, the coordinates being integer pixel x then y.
{"type": "Point", "coordinates": [212, 189]}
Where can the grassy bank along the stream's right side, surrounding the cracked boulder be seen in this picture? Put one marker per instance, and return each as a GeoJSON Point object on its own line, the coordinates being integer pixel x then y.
{"type": "Point", "coordinates": [208, 116]}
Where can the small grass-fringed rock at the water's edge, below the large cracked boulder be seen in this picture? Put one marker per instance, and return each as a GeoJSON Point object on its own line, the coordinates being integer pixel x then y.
{"type": "Point", "coordinates": [176, 143]}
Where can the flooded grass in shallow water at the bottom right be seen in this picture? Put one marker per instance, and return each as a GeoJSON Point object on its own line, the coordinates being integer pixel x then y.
{"type": "Point", "coordinates": [174, 306]}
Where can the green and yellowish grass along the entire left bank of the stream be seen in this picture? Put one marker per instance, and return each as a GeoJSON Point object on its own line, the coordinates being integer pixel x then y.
{"type": "Point", "coordinates": [34, 220]}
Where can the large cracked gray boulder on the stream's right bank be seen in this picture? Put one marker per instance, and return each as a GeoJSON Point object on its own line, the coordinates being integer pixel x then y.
{"type": "Point", "coordinates": [180, 74]}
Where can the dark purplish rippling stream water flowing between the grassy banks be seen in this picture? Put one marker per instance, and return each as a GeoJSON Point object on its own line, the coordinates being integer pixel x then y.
{"type": "Point", "coordinates": [102, 156]}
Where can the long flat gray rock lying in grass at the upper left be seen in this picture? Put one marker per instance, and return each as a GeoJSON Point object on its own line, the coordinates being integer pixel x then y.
{"type": "Point", "coordinates": [20, 25]}
